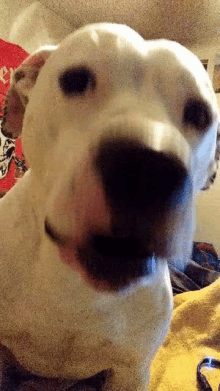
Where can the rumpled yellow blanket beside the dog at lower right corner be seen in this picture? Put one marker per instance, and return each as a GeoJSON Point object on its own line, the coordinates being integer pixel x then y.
{"type": "Point", "coordinates": [194, 335]}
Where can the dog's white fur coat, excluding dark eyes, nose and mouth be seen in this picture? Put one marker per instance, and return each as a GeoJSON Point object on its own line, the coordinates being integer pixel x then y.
{"type": "Point", "coordinates": [54, 322]}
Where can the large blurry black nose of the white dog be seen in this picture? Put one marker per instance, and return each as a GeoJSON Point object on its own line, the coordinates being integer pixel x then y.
{"type": "Point", "coordinates": [136, 177]}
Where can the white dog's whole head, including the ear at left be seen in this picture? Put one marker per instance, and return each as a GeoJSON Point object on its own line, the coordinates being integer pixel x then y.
{"type": "Point", "coordinates": [126, 134]}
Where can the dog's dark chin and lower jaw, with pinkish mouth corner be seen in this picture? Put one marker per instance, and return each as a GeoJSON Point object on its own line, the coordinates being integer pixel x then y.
{"type": "Point", "coordinates": [108, 263]}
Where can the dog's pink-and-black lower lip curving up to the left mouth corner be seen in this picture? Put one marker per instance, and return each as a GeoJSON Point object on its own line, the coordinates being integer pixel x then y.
{"type": "Point", "coordinates": [111, 247]}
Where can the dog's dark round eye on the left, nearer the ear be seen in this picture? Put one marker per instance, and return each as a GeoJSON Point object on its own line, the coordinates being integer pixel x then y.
{"type": "Point", "coordinates": [77, 81]}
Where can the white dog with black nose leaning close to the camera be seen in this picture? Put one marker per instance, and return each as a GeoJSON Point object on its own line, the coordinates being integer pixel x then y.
{"type": "Point", "coordinates": [120, 133]}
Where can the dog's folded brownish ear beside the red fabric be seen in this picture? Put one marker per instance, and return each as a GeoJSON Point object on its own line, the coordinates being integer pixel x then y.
{"type": "Point", "coordinates": [23, 80]}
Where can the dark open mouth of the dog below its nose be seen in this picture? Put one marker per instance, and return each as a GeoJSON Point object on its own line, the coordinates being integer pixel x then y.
{"type": "Point", "coordinates": [119, 261]}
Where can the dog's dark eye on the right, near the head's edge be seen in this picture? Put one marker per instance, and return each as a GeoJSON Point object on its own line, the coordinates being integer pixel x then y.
{"type": "Point", "coordinates": [197, 114]}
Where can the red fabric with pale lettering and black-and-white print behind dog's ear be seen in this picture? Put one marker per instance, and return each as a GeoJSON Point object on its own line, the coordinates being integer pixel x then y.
{"type": "Point", "coordinates": [12, 161]}
